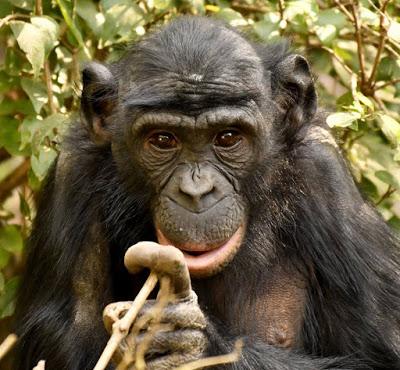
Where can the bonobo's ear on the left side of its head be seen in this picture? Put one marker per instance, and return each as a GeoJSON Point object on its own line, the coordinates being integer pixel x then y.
{"type": "Point", "coordinates": [99, 97]}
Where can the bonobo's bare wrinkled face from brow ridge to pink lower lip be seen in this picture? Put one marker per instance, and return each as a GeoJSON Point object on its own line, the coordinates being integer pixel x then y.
{"type": "Point", "coordinates": [195, 163]}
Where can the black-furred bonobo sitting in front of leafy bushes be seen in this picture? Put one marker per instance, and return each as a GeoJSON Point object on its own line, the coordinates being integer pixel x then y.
{"type": "Point", "coordinates": [200, 139]}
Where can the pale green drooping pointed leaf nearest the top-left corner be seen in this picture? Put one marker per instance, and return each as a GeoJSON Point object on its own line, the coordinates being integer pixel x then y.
{"type": "Point", "coordinates": [30, 40]}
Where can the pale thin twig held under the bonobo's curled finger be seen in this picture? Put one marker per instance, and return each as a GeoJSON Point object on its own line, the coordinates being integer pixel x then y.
{"type": "Point", "coordinates": [121, 327]}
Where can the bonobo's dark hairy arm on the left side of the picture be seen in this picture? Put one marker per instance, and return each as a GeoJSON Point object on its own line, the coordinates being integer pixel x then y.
{"type": "Point", "coordinates": [65, 285]}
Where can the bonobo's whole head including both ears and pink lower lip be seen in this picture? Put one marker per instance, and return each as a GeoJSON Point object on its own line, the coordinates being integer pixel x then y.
{"type": "Point", "coordinates": [195, 109]}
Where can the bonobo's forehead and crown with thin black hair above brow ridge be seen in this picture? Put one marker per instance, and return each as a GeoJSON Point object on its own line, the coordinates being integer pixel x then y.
{"type": "Point", "coordinates": [194, 60]}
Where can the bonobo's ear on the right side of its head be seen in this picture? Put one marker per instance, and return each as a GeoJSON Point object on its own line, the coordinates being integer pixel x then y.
{"type": "Point", "coordinates": [294, 88]}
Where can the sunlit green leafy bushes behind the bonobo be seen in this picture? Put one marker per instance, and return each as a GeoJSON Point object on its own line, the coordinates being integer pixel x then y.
{"type": "Point", "coordinates": [353, 47]}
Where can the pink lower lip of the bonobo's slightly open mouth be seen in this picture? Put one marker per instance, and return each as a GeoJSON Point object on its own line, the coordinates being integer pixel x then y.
{"type": "Point", "coordinates": [203, 261]}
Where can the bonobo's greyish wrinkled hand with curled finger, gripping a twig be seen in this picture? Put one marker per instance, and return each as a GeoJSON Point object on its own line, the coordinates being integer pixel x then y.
{"type": "Point", "coordinates": [181, 336]}
